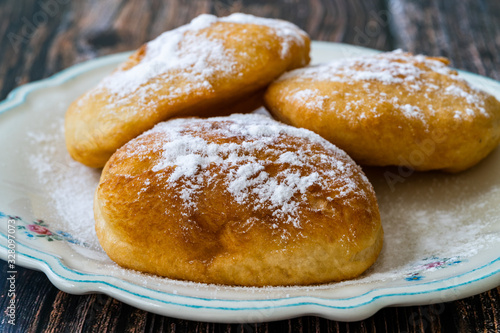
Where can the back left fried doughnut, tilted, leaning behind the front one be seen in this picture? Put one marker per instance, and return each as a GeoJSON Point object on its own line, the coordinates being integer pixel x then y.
{"type": "Point", "coordinates": [211, 66]}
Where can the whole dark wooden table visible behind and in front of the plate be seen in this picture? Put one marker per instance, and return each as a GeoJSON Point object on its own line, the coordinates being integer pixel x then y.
{"type": "Point", "coordinates": [40, 38]}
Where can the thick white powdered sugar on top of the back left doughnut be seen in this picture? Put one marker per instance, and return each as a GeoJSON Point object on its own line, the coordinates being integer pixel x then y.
{"type": "Point", "coordinates": [191, 55]}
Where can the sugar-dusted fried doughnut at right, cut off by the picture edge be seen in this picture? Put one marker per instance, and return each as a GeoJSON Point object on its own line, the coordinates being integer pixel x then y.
{"type": "Point", "coordinates": [391, 109]}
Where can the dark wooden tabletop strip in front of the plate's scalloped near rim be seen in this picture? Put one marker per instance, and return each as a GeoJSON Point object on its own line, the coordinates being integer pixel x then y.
{"type": "Point", "coordinates": [43, 308]}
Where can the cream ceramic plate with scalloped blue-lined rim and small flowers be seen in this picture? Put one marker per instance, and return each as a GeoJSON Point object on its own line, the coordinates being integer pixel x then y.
{"type": "Point", "coordinates": [442, 232]}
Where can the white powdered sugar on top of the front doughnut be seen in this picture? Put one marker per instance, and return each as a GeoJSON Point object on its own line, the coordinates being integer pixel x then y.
{"type": "Point", "coordinates": [249, 179]}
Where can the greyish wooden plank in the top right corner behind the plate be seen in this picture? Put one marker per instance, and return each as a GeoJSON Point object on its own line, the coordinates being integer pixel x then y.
{"type": "Point", "coordinates": [466, 32]}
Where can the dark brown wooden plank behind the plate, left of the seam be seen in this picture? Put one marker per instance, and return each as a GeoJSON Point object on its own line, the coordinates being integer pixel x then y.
{"type": "Point", "coordinates": [41, 40]}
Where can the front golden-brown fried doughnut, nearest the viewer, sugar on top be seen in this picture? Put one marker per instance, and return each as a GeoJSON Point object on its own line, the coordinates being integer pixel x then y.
{"type": "Point", "coordinates": [239, 200]}
